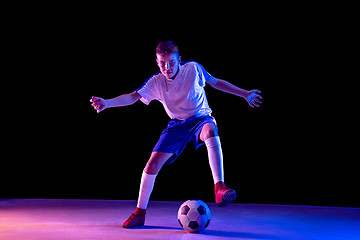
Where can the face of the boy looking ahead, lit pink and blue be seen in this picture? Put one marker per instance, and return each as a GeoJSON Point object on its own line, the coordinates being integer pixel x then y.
{"type": "Point", "coordinates": [168, 64]}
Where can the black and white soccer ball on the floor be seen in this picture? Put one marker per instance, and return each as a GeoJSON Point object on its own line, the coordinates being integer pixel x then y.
{"type": "Point", "coordinates": [194, 216]}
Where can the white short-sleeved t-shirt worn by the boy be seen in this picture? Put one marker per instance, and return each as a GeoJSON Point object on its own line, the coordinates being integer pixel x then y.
{"type": "Point", "coordinates": [182, 97]}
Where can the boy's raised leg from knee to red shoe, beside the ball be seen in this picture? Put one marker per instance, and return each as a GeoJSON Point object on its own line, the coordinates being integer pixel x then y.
{"type": "Point", "coordinates": [209, 135]}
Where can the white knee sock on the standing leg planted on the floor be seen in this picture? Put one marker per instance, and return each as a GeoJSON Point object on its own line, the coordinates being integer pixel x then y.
{"type": "Point", "coordinates": [146, 187]}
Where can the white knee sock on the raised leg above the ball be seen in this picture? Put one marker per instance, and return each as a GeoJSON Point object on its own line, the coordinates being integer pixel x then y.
{"type": "Point", "coordinates": [215, 158]}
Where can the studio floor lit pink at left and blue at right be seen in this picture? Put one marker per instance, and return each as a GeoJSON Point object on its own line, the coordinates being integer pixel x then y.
{"type": "Point", "coordinates": [39, 219]}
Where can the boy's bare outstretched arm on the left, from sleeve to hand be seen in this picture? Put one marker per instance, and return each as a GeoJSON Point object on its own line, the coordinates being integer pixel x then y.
{"type": "Point", "coordinates": [101, 104]}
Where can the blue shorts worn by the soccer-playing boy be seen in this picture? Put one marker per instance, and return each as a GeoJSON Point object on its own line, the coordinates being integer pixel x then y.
{"type": "Point", "coordinates": [179, 132]}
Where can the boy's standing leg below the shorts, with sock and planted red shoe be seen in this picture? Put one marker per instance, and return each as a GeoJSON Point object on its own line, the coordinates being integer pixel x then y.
{"type": "Point", "coordinates": [150, 172]}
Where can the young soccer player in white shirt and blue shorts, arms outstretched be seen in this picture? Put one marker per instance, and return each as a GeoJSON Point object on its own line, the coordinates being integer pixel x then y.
{"type": "Point", "coordinates": [180, 88]}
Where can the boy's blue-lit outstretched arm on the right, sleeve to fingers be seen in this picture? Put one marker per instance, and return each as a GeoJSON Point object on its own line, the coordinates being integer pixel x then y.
{"type": "Point", "coordinates": [252, 97]}
